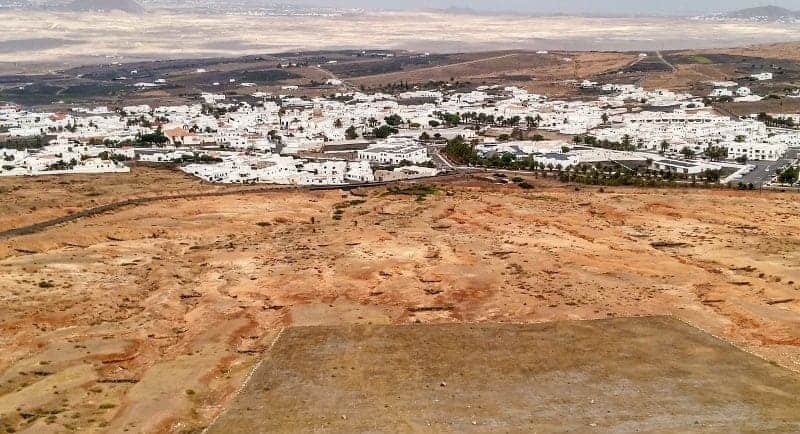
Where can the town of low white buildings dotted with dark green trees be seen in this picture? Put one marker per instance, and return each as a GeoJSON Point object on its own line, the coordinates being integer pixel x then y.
{"type": "Point", "coordinates": [356, 137]}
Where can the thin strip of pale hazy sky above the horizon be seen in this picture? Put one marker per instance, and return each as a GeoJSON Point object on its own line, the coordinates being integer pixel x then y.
{"type": "Point", "coordinates": [567, 6]}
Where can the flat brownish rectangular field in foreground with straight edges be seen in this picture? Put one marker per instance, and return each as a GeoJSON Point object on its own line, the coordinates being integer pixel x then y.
{"type": "Point", "coordinates": [618, 375]}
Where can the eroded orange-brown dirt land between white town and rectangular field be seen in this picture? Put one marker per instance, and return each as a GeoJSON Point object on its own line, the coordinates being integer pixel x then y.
{"type": "Point", "coordinates": [150, 318]}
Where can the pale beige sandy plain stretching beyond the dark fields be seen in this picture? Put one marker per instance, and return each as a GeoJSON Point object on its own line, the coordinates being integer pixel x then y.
{"type": "Point", "coordinates": [41, 41]}
